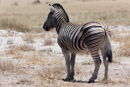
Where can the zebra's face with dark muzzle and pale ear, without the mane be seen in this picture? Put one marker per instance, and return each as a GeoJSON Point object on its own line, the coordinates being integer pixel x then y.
{"type": "Point", "coordinates": [49, 23]}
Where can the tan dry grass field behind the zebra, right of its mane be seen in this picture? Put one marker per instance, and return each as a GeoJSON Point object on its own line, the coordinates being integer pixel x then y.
{"type": "Point", "coordinates": [102, 11]}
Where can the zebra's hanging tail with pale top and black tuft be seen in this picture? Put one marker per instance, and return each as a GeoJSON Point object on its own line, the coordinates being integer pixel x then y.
{"type": "Point", "coordinates": [109, 49]}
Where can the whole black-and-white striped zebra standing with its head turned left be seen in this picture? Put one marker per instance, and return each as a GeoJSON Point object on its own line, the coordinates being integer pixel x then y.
{"type": "Point", "coordinates": [73, 39]}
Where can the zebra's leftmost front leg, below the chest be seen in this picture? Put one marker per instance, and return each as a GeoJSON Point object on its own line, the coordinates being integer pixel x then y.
{"type": "Point", "coordinates": [66, 54]}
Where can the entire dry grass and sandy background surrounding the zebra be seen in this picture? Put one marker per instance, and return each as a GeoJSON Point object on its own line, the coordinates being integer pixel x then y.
{"type": "Point", "coordinates": [45, 66]}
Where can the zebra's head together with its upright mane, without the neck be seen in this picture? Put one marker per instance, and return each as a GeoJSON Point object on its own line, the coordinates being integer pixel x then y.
{"type": "Point", "coordinates": [54, 9]}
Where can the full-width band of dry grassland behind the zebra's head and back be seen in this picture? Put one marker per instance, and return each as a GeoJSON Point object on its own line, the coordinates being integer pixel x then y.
{"type": "Point", "coordinates": [24, 17]}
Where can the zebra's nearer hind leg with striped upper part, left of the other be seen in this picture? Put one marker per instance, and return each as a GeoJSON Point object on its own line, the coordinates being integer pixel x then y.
{"type": "Point", "coordinates": [97, 62]}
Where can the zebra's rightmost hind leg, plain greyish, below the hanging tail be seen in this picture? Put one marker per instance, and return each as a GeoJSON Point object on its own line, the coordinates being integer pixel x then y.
{"type": "Point", "coordinates": [105, 61]}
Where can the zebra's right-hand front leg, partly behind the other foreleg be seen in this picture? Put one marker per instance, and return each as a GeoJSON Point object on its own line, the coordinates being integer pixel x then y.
{"type": "Point", "coordinates": [72, 62]}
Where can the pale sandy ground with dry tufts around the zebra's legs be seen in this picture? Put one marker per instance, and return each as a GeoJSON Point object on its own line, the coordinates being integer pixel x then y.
{"type": "Point", "coordinates": [21, 72]}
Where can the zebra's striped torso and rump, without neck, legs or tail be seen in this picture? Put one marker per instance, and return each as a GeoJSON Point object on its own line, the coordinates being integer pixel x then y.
{"type": "Point", "coordinates": [79, 38]}
